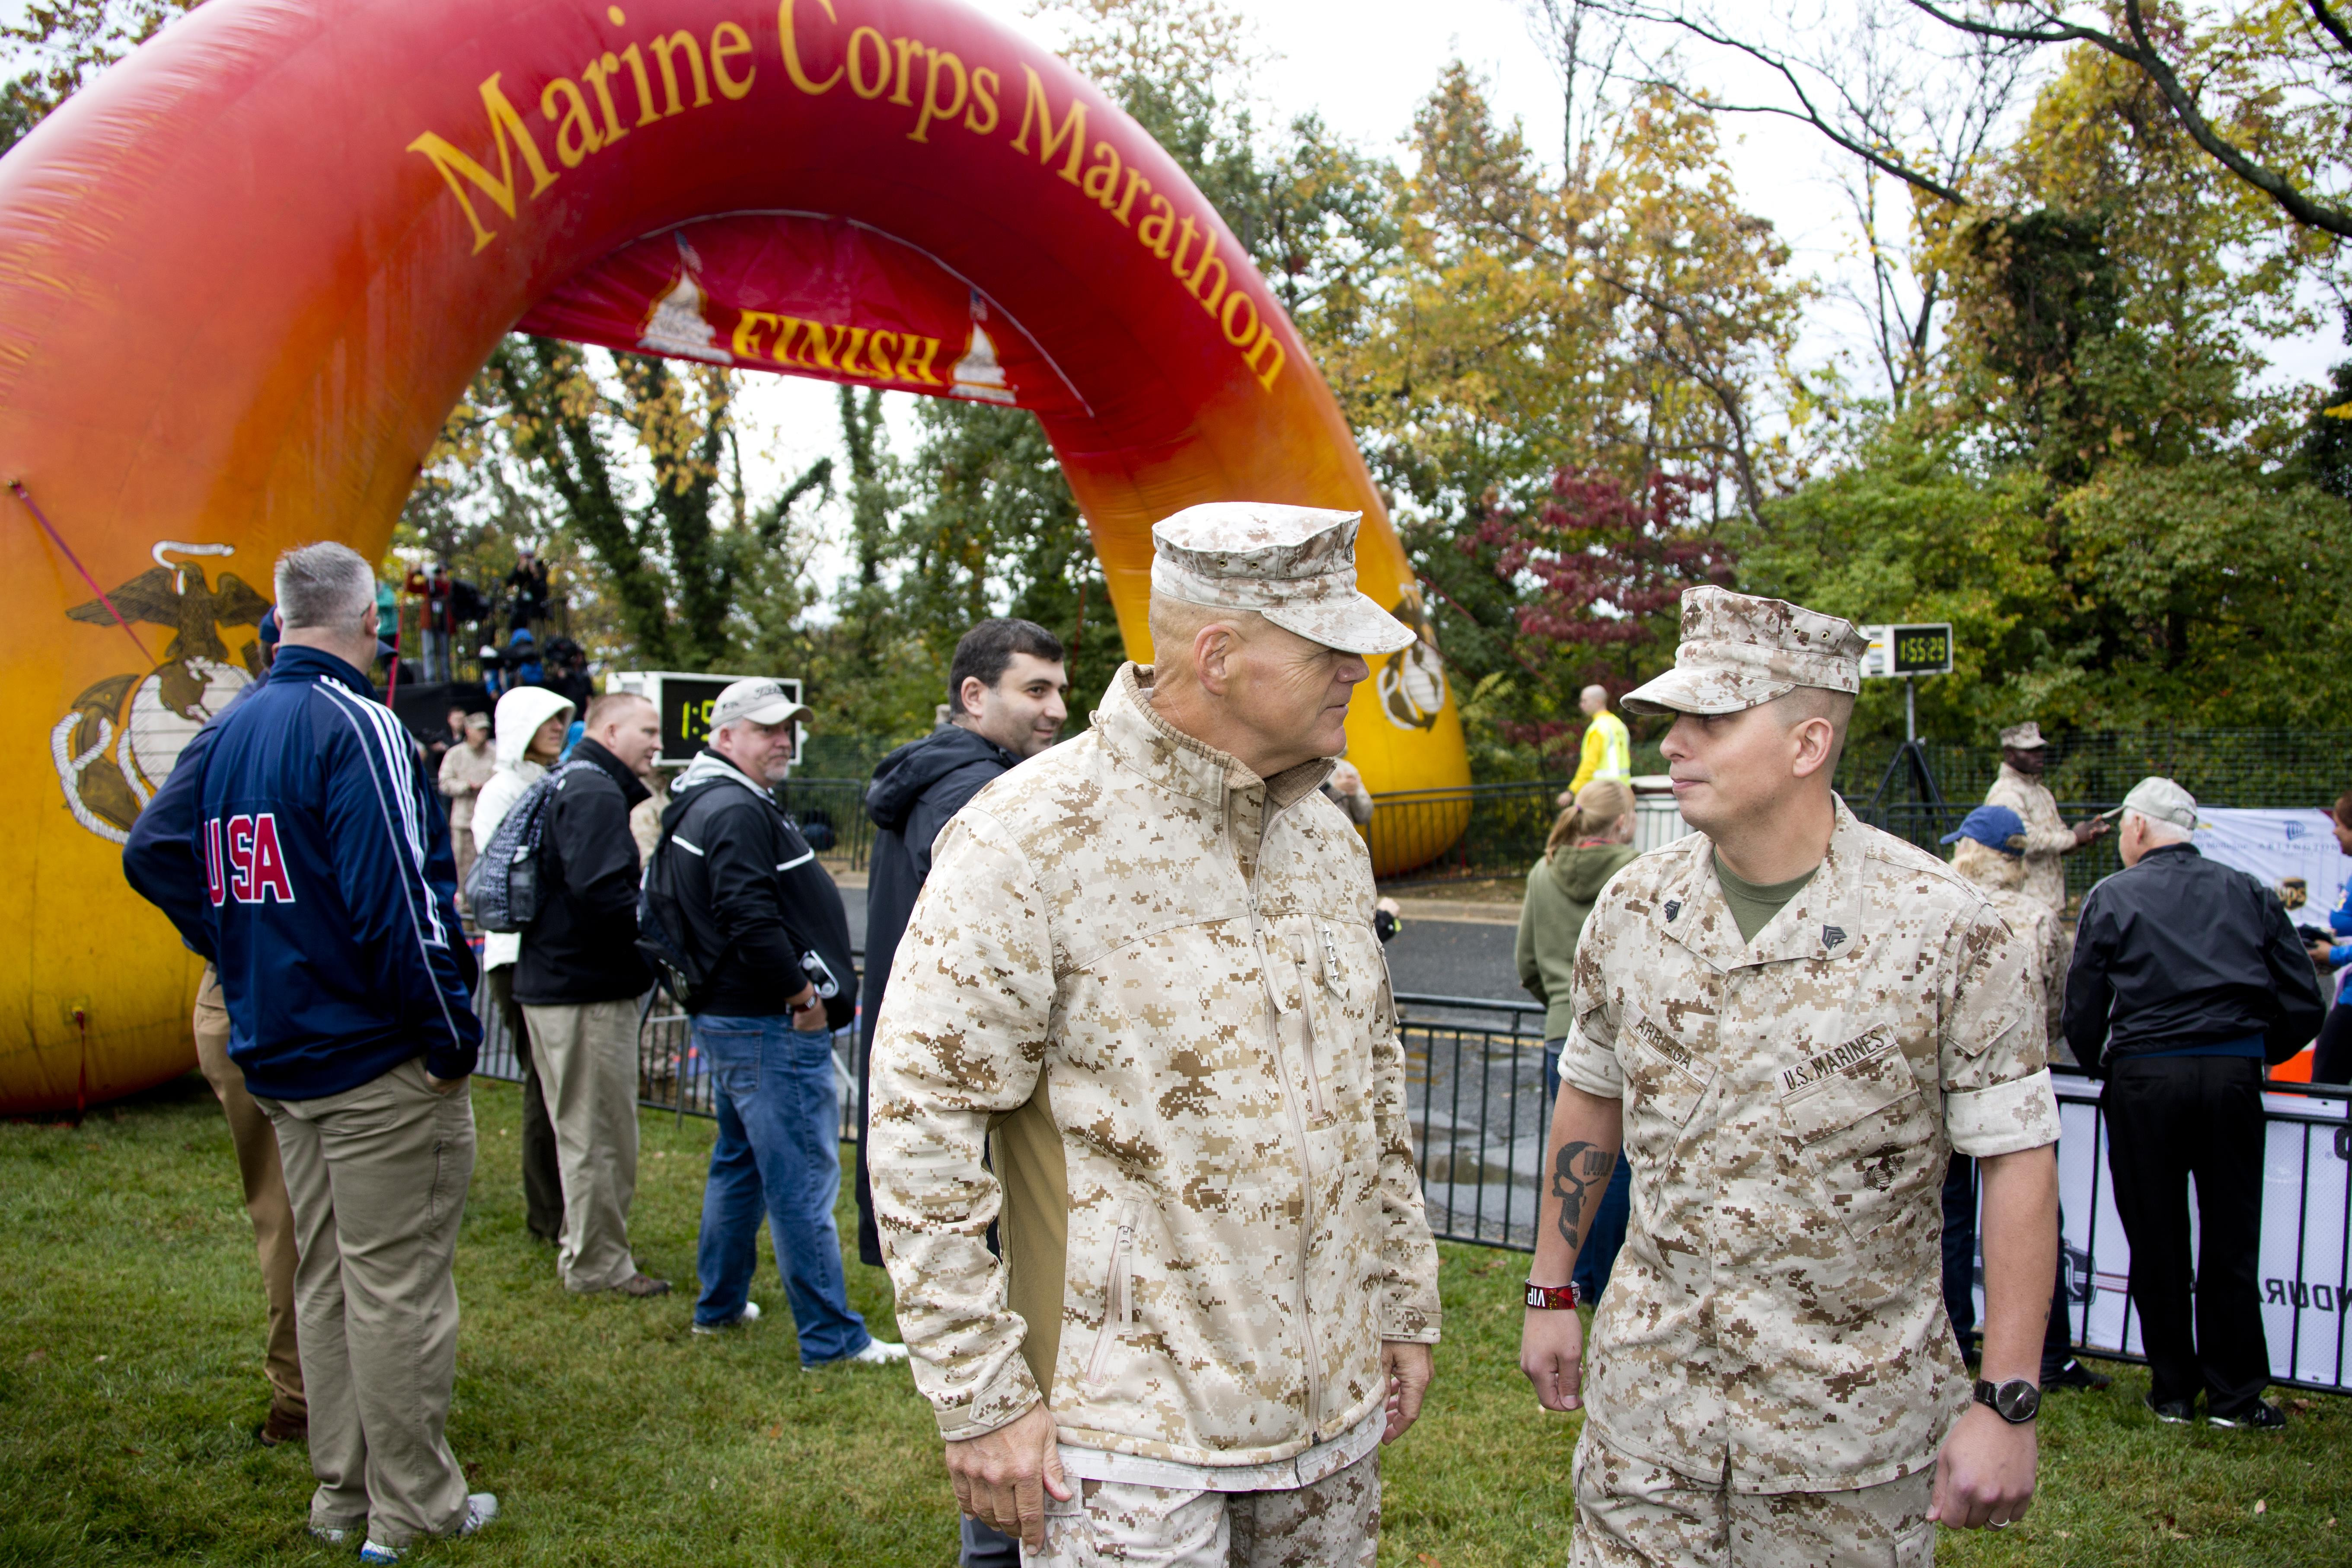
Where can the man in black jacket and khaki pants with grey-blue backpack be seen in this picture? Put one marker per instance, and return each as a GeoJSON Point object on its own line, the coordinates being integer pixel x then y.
{"type": "Point", "coordinates": [580, 981]}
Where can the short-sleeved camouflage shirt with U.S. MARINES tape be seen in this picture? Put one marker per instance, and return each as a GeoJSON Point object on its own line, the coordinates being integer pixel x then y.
{"type": "Point", "coordinates": [1791, 1104]}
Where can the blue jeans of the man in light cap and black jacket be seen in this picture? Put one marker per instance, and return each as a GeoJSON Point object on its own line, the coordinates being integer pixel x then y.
{"type": "Point", "coordinates": [780, 1153]}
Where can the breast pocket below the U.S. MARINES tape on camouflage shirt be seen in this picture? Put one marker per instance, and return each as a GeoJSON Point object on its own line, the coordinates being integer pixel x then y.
{"type": "Point", "coordinates": [1862, 1127]}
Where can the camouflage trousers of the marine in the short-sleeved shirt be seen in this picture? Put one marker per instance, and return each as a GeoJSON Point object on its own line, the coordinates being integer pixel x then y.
{"type": "Point", "coordinates": [1638, 1515]}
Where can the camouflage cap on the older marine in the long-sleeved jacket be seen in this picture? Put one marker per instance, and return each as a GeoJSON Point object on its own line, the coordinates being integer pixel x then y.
{"type": "Point", "coordinates": [1295, 565]}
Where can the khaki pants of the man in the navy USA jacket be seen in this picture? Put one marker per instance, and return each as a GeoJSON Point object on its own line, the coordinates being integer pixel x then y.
{"type": "Point", "coordinates": [377, 1177]}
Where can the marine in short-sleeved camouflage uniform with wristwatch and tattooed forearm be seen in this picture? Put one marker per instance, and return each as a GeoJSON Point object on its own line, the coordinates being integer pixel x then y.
{"type": "Point", "coordinates": [1789, 1021]}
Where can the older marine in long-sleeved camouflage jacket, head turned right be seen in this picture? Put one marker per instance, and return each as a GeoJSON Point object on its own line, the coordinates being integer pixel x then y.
{"type": "Point", "coordinates": [1144, 981]}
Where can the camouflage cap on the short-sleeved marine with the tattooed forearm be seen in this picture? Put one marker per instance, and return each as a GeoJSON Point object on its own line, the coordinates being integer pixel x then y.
{"type": "Point", "coordinates": [1739, 652]}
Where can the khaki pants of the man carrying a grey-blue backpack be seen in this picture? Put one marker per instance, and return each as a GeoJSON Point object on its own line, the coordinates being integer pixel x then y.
{"type": "Point", "coordinates": [587, 1061]}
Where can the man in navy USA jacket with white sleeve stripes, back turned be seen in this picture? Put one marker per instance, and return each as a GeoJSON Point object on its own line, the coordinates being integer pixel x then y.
{"type": "Point", "coordinates": [330, 916]}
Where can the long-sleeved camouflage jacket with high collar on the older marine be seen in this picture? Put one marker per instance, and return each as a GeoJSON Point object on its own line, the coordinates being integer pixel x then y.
{"type": "Point", "coordinates": [1149, 981]}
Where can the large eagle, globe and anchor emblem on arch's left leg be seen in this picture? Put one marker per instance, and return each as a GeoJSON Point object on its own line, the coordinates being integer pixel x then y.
{"type": "Point", "coordinates": [126, 732]}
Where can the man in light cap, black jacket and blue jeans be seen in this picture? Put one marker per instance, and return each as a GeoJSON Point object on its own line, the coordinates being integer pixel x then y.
{"type": "Point", "coordinates": [770, 944]}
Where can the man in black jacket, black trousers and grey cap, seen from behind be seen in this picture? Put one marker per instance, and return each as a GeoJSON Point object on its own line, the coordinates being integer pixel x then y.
{"type": "Point", "coordinates": [2186, 981]}
